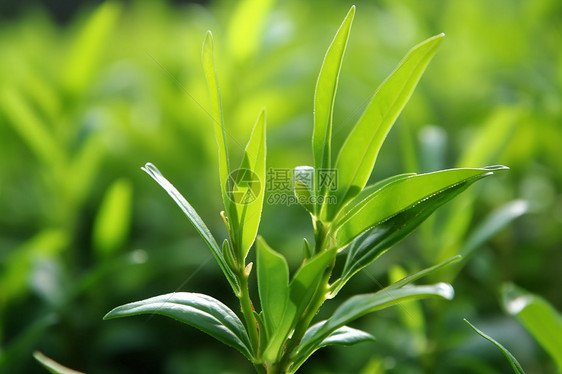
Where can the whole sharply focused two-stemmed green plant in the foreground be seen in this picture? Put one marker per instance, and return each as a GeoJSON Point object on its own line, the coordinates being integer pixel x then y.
{"type": "Point", "coordinates": [353, 223]}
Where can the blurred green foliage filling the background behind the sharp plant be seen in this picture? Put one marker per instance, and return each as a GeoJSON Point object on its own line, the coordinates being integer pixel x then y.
{"type": "Point", "coordinates": [90, 92]}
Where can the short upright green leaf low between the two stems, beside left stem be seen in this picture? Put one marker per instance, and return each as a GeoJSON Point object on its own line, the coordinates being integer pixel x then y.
{"type": "Point", "coordinates": [273, 285]}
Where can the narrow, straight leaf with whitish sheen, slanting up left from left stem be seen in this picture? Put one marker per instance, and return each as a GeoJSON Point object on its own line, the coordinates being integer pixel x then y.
{"type": "Point", "coordinates": [196, 221]}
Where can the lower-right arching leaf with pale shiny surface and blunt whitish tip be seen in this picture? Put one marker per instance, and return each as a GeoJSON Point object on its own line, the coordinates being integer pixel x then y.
{"type": "Point", "coordinates": [360, 305]}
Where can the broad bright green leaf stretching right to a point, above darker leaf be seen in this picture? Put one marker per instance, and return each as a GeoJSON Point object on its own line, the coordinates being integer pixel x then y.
{"type": "Point", "coordinates": [401, 195]}
